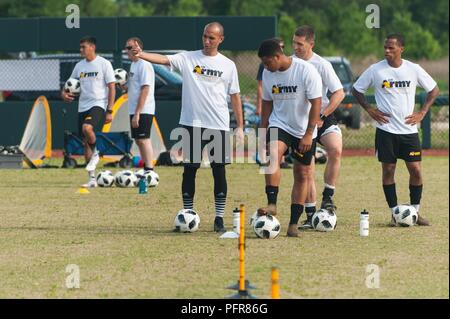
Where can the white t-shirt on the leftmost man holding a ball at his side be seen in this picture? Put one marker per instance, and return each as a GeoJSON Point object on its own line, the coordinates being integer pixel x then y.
{"type": "Point", "coordinates": [94, 77]}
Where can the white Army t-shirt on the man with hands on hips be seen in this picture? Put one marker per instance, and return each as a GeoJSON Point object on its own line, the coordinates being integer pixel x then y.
{"type": "Point", "coordinates": [395, 90]}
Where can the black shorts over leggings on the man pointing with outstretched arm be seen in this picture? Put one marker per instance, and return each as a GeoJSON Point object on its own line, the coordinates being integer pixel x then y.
{"type": "Point", "coordinates": [216, 141]}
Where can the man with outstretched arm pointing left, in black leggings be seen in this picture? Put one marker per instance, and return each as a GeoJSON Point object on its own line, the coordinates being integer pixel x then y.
{"type": "Point", "coordinates": [208, 79]}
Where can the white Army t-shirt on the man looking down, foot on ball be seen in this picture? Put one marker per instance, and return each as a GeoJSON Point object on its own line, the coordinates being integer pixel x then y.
{"type": "Point", "coordinates": [290, 91]}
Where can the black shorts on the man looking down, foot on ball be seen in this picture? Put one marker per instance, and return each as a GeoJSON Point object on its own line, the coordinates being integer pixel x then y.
{"type": "Point", "coordinates": [278, 134]}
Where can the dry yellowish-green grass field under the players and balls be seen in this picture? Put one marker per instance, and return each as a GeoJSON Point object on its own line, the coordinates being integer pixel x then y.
{"type": "Point", "coordinates": [124, 247]}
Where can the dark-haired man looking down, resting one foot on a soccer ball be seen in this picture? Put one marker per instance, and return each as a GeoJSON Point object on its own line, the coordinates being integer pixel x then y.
{"type": "Point", "coordinates": [292, 96]}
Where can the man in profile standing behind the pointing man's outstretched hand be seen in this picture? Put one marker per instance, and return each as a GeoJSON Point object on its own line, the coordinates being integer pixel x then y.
{"type": "Point", "coordinates": [141, 101]}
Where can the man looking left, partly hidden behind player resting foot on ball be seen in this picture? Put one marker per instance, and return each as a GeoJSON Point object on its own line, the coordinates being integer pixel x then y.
{"type": "Point", "coordinates": [329, 134]}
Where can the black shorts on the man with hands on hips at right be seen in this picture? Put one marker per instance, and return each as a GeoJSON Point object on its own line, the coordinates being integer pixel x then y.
{"type": "Point", "coordinates": [389, 147]}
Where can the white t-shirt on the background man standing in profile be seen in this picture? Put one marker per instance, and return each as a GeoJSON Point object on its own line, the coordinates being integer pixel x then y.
{"type": "Point", "coordinates": [141, 73]}
